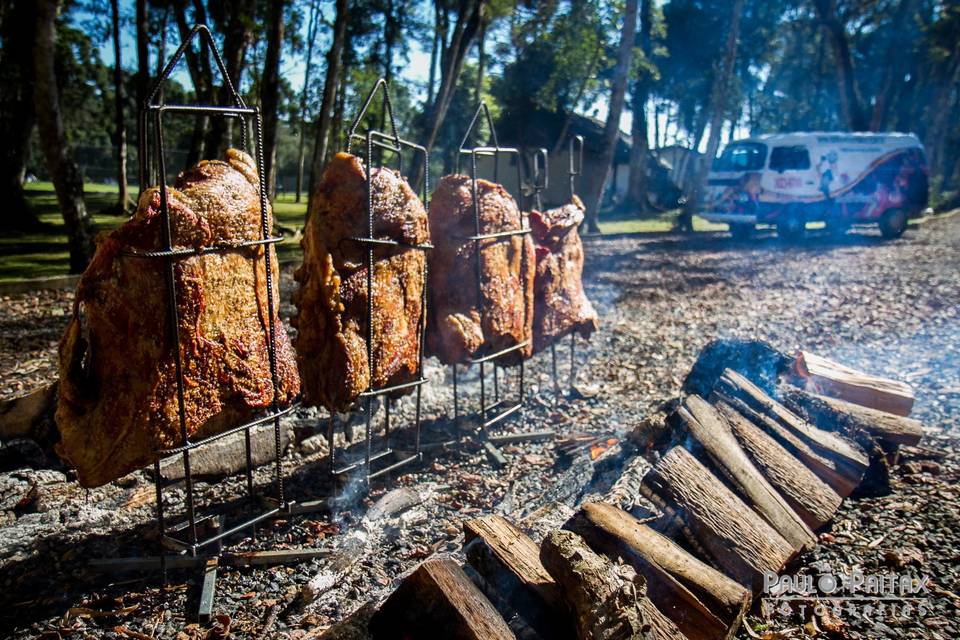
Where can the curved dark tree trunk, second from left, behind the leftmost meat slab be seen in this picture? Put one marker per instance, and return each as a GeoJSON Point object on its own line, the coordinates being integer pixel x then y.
{"type": "Point", "coordinates": [67, 180]}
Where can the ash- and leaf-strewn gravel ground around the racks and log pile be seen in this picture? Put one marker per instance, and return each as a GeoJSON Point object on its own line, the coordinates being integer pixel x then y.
{"type": "Point", "coordinates": [890, 308]}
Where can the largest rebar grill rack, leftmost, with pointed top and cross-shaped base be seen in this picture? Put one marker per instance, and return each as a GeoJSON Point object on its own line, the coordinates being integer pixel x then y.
{"type": "Point", "coordinates": [198, 539]}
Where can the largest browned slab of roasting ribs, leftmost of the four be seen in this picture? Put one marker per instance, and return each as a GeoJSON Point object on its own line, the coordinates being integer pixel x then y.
{"type": "Point", "coordinates": [118, 405]}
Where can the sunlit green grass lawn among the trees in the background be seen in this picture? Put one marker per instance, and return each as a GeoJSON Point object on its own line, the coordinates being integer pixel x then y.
{"type": "Point", "coordinates": [44, 253]}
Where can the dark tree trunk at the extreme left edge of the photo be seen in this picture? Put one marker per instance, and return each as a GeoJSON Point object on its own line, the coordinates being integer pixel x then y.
{"type": "Point", "coordinates": [16, 113]}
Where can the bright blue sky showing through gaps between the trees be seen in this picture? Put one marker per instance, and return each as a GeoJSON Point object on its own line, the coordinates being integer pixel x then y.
{"type": "Point", "coordinates": [416, 70]}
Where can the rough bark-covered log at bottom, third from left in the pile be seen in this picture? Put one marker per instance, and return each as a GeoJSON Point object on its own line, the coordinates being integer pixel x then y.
{"type": "Point", "coordinates": [606, 599]}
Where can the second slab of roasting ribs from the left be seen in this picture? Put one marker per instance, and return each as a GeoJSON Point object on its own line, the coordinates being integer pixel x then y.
{"type": "Point", "coordinates": [332, 303]}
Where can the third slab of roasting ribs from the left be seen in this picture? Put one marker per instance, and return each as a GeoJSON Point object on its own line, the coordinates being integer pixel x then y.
{"type": "Point", "coordinates": [463, 324]}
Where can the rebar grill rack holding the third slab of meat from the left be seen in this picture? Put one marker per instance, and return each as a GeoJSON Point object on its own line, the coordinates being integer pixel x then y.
{"type": "Point", "coordinates": [500, 409]}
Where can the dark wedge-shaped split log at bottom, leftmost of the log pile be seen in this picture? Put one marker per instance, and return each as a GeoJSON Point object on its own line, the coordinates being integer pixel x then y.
{"type": "Point", "coordinates": [438, 597]}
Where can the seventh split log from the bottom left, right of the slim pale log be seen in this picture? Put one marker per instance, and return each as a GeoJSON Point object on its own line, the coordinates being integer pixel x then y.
{"type": "Point", "coordinates": [809, 496]}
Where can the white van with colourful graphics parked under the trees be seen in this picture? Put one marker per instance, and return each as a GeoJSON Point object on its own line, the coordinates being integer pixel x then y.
{"type": "Point", "coordinates": [843, 179]}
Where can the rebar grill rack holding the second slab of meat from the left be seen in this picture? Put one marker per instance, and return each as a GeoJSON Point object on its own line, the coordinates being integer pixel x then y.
{"type": "Point", "coordinates": [381, 143]}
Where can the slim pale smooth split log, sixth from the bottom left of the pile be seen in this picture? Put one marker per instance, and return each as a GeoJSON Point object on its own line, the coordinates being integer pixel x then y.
{"type": "Point", "coordinates": [710, 434]}
